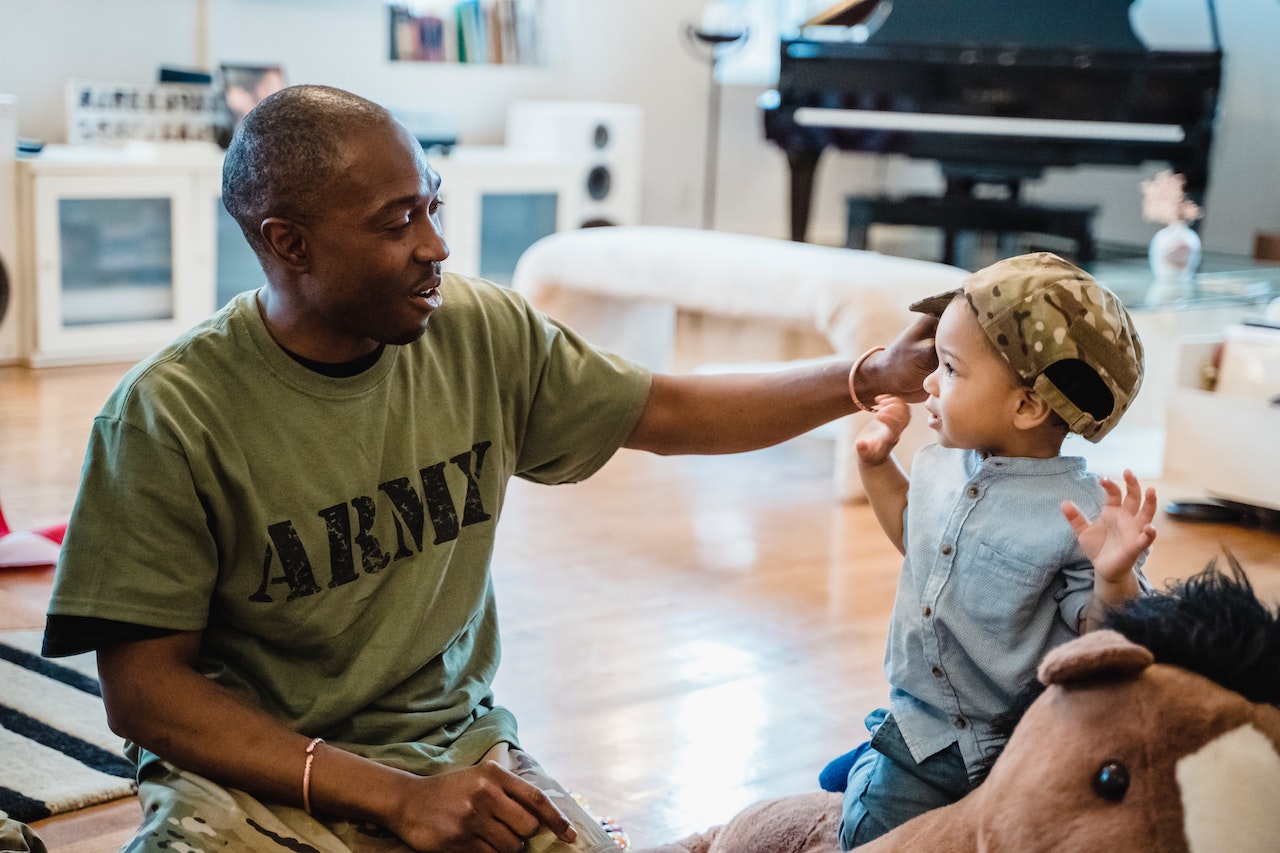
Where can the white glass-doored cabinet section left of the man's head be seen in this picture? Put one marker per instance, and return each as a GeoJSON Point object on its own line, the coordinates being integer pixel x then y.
{"type": "Point", "coordinates": [120, 248]}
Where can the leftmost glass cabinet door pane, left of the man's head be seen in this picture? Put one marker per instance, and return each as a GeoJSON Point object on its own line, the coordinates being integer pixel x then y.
{"type": "Point", "coordinates": [117, 261]}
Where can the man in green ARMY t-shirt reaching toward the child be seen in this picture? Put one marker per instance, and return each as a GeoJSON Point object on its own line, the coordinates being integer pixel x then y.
{"type": "Point", "coordinates": [281, 548]}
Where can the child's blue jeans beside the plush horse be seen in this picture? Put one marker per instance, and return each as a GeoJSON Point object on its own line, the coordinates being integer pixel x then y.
{"type": "Point", "coordinates": [888, 787]}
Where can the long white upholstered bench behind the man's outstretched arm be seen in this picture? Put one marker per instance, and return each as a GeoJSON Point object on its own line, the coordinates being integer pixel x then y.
{"type": "Point", "coordinates": [689, 299]}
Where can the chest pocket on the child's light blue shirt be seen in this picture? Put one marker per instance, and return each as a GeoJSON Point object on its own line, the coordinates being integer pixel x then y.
{"type": "Point", "coordinates": [999, 592]}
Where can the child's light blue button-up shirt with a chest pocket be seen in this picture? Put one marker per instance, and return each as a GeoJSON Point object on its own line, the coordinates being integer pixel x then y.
{"type": "Point", "coordinates": [994, 580]}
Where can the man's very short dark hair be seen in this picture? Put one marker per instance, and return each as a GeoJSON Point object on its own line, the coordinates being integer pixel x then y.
{"type": "Point", "coordinates": [284, 156]}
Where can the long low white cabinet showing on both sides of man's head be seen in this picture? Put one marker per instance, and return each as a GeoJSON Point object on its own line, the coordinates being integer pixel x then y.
{"type": "Point", "coordinates": [125, 249]}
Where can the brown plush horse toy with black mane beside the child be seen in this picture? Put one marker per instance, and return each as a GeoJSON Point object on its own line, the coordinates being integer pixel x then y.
{"type": "Point", "coordinates": [1162, 733]}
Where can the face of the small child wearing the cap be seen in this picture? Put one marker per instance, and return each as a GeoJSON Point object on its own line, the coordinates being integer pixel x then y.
{"type": "Point", "coordinates": [973, 393]}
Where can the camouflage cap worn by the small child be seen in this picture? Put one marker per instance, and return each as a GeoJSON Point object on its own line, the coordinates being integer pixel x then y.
{"type": "Point", "coordinates": [1058, 329]}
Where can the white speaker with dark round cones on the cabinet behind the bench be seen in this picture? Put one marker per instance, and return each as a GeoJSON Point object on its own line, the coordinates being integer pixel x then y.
{"type": "Point", "coordinates": [606, 138]}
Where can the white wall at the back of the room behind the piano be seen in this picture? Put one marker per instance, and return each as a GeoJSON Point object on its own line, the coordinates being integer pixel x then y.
{"type": "Point", "coordinates": [619, 51]}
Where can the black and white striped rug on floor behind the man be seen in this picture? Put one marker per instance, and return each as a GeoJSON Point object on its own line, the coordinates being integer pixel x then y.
{"type": "Point", "coordinates": [57, 752]}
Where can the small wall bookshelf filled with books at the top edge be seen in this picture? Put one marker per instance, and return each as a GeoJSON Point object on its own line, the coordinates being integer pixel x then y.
{"type": "Point", "coordinates": [493, 33]}
